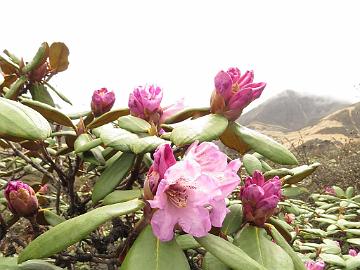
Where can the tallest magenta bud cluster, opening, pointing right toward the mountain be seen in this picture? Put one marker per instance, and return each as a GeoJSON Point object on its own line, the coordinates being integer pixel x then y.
{"type": "Point", "coordinates": [233, 92]}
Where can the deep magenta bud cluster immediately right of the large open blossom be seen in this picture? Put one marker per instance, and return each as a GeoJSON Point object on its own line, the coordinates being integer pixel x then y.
{"type": "Point", "coordinates": [260, 198]}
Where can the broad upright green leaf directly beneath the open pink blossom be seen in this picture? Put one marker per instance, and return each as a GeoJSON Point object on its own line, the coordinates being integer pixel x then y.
{"type": "Point", "coordinates": [149, 253]}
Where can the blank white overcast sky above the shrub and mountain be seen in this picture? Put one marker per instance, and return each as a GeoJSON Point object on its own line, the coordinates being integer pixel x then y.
{"type": "Point", "coordinates": [308, 46]}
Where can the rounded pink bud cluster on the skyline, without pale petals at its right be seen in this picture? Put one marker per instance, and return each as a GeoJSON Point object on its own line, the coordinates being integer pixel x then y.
{"type": "Point", "coordinates": [144, 102]}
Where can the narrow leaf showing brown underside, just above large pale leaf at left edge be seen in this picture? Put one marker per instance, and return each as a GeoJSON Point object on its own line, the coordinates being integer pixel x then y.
{"type": "Point", "coordinates": [50, 113]}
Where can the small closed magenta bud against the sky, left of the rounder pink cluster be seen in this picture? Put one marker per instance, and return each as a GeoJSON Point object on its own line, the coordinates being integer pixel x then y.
{"type": "Point", "coordinates": [102, 101]}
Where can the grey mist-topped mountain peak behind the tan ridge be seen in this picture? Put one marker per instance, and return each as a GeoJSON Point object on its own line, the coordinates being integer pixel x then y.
{"type": "Point", "coordinates": [290, 111]}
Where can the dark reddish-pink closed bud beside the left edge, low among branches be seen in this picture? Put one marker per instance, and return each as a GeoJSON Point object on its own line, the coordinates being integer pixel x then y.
{"type": "Point", "coordinates": [21, 199]}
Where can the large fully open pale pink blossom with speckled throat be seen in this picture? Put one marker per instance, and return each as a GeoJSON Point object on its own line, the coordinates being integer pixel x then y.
{"type": "Point", "coordinates": [192, 192]}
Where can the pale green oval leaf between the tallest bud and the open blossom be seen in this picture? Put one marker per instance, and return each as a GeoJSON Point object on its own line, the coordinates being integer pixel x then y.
{"type": "Point", "coordinates": [206, 128]}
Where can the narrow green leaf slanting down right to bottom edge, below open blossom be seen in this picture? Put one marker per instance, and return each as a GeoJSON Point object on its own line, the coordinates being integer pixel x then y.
{"type": "Point", "coordinates": [229, 254]}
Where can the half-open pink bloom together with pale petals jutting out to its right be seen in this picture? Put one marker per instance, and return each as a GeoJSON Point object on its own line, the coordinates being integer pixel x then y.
{"type": "Point", "coordinates": [145, 102]}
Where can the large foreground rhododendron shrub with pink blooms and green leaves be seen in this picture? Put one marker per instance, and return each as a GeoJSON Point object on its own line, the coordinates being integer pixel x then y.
{"type": "Point", "coordinates": [147, 186]}
